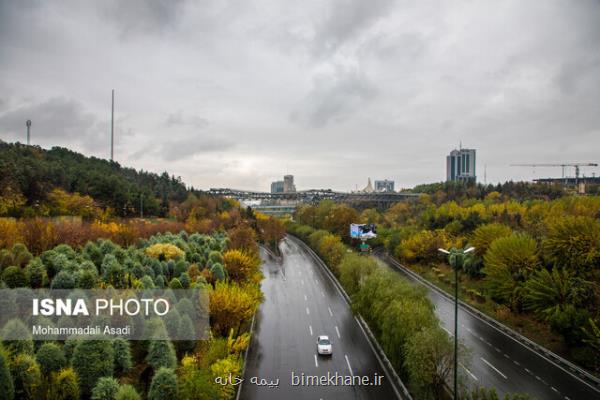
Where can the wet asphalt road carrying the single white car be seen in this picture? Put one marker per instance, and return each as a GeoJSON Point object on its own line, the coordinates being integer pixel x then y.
{"type": "Point", "coordinates": [301, 303]}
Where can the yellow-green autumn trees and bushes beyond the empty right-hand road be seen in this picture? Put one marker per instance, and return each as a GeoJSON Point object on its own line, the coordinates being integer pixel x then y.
{"type": "Point", "coordinates": [535, 267]}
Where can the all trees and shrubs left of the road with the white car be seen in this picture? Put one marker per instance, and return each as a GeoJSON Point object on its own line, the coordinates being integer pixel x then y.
{"type": "Point", "coordinates": [63, 226]}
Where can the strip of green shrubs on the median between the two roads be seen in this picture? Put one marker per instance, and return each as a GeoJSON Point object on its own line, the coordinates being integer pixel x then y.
{"type": "Point", "coordinates": [398, 313]}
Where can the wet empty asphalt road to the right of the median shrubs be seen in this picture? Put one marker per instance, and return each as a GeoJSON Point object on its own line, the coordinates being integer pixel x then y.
{"type": "Point", "coordinates": [501, 362]}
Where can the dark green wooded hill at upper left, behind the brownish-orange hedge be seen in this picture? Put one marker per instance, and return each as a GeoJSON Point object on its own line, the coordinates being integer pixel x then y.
{"type": "Point", "coordinates": [42, 182]}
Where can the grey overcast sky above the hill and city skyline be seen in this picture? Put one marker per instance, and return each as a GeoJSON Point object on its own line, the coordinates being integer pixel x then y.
{"type": "Point", "coordinates": [238, 93]}
